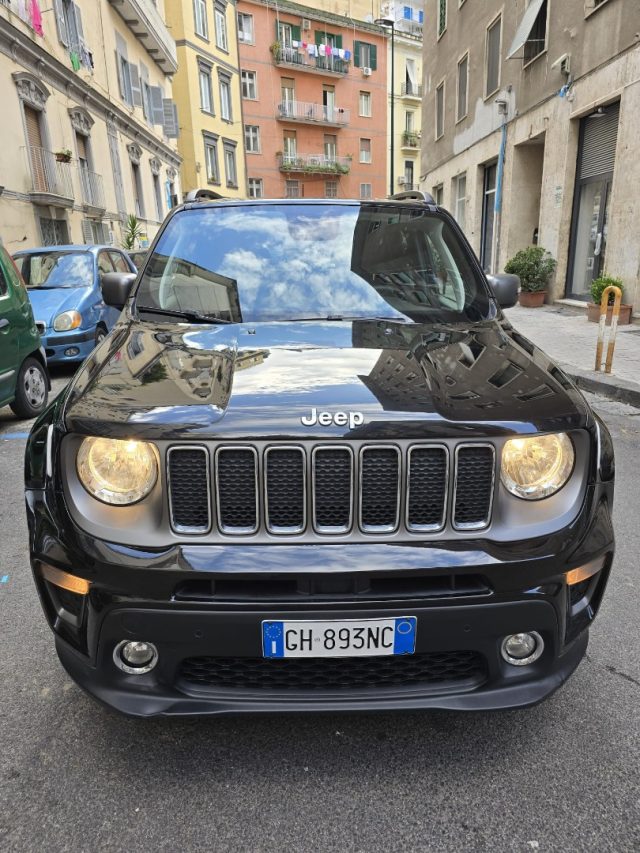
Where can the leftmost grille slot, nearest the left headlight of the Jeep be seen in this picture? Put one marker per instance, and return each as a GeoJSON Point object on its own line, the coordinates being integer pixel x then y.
{"type": "Point", "coordinates": [188, 472]}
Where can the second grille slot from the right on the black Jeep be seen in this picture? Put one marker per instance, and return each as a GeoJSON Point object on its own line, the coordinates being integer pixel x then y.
{"type": "Point", "coordinates": [427, 488]}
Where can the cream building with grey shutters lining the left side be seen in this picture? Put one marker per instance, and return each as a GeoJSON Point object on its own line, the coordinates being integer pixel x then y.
{"type": "Point", "coordinates": [90, 124]}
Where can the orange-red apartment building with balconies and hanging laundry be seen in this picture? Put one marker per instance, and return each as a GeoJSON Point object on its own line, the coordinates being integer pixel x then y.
{"type": "Point", "coordinates": [314, 100]}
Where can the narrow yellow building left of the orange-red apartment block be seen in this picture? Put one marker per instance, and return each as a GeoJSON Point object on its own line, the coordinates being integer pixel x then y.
{"type": "Point", "coordinates": [207, 92]}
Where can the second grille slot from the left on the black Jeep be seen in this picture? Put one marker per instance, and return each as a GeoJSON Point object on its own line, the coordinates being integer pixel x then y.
{"type": "Point", "coordinates": [237, 489]}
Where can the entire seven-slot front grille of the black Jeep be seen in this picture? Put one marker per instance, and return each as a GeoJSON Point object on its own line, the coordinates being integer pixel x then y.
{"type": "Point", "coordinates": [331, 489]}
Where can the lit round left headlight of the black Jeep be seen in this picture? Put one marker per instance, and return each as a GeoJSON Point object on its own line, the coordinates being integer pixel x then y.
{"type": "Point", "coordinates": [115, 471]}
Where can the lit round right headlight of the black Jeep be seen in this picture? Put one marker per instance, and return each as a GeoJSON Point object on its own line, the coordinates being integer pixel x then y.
{"type": "Point", "coordinates": [537, 466]}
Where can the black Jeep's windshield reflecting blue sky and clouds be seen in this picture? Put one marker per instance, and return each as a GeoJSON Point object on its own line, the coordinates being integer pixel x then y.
{"type": "Point", "coordinates": [296, 261]}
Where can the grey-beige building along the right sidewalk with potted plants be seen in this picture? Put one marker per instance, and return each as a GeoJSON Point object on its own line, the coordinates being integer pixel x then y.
{"type": "Point", "coordinates": [530, 129]}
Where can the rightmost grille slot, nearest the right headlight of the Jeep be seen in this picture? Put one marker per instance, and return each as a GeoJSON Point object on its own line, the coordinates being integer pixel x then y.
{"type": "Point", "coordinates": [475, 466]}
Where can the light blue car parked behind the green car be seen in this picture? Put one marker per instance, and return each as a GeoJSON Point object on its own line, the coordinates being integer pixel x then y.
{"type": "Point", "coordinates": [64, 289]}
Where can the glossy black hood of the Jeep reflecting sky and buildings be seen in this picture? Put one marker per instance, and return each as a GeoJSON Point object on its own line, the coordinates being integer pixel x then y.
{"type": "Point", "coordinates": [175, 381]}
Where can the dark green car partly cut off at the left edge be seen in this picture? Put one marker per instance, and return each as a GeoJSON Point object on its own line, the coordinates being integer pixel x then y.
{"type": "Point", "coordinates": [24, 379]}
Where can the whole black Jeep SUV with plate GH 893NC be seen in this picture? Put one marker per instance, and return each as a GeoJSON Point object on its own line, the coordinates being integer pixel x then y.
{"type": "Point", "coordinates": [313, 467]}
